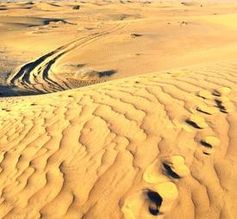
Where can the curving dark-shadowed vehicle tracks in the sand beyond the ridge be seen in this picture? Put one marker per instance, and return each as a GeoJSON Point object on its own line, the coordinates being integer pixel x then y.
{"type": "Point", "coordinates": [37, 76]}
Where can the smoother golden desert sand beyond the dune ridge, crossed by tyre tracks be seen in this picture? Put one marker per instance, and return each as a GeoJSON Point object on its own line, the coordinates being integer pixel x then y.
{"type": "Point", "coordinates": [51, 46]}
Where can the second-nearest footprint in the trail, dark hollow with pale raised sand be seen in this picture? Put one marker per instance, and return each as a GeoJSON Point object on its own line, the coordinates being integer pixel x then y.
{"type": "Point", "coordinates": [175, 167]}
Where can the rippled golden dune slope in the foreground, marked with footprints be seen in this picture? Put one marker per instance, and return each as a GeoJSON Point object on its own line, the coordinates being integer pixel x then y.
{"type": "Point", "coordinates": [157, 144]}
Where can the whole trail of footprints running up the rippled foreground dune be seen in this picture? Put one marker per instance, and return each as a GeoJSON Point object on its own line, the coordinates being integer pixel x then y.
{"type": "Point", "coordinates": [162, 192]}
